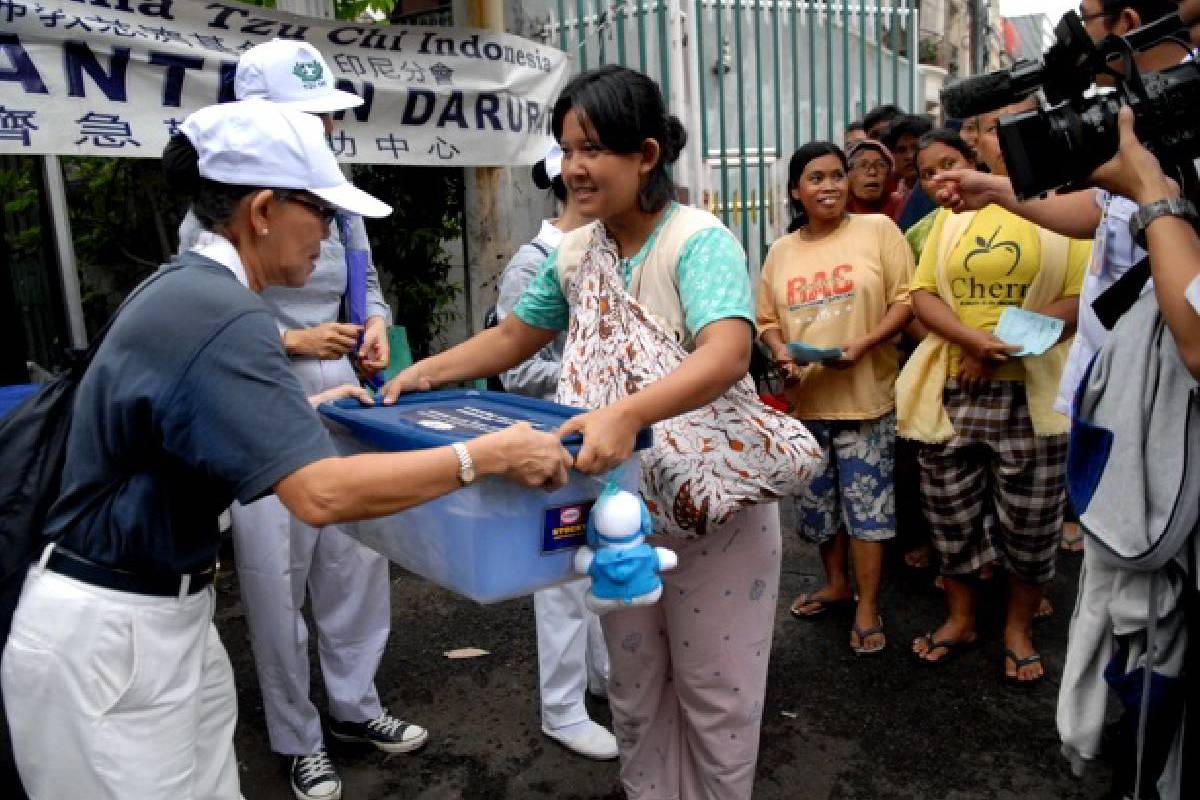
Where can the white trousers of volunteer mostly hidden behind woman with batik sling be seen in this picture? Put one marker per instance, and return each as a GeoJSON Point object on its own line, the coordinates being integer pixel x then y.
{"type": "Point", "coordinates": [572, 654]}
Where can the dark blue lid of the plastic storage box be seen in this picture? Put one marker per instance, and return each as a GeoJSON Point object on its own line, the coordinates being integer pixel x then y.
{"type": "Point", "coordinates": [424, 420]}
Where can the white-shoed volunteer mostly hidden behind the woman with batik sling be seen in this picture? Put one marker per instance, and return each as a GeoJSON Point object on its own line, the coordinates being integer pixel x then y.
{"type": "Point", "coordinates": [572, 655]}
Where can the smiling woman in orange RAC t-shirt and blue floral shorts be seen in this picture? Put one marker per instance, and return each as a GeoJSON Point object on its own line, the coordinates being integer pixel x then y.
{"type": "Point", "coordinates": [841, 281]}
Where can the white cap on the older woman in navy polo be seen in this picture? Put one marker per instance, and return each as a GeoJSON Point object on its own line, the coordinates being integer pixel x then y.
{"type": "Point", "coordinates": [257, 143]}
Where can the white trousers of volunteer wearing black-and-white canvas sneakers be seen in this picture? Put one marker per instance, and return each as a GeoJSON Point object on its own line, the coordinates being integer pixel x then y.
{"type": "Point", "coordinates": [279, 560]}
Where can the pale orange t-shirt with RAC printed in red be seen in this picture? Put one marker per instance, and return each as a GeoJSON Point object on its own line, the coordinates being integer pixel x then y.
{"type": "Point", "coordinates": [829, 293]}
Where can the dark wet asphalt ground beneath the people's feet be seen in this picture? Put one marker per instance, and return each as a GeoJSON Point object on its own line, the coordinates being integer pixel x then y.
{"type": "Point", "coordinates": [836, 727]}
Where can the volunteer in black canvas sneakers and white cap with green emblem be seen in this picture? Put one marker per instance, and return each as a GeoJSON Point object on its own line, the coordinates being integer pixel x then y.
{"type": "Point", "coordinates": [279, 557]}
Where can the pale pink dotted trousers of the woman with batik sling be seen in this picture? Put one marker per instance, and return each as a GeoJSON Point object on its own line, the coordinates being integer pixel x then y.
{"type": "Point", "coordinates": [688, 675]}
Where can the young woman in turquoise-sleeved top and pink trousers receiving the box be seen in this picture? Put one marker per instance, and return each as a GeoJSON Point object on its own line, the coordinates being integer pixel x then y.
{"type": "Point", "coordinates": [688, 676]}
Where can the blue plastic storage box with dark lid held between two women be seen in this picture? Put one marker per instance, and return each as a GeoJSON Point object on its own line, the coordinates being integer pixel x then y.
{"type": "Point", "coordinates": [493, 540]}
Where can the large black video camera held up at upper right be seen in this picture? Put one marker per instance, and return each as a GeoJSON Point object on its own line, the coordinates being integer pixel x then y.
{"type": "Point", "coordinates": [1059, 145]}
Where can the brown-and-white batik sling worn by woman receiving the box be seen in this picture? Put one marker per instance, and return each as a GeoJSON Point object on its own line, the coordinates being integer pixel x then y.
{"type": "Point", "coordinates": [706, 465]}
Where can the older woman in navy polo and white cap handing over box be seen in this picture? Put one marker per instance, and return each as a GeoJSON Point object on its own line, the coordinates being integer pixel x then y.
{"type": "Point", "coordinates": [115, 679]}
